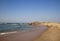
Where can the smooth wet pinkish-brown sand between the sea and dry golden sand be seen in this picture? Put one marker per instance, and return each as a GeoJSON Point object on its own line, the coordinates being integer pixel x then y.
{"type": "Point", "coordinates": [24, 36]}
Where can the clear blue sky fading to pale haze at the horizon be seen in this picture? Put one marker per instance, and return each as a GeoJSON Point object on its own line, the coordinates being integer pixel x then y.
{"type": "Point", "coordinates": [29, 10]}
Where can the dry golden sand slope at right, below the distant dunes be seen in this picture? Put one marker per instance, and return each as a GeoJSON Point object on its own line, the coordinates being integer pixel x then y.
{"type": "Point", "coordinates": [52, 34]}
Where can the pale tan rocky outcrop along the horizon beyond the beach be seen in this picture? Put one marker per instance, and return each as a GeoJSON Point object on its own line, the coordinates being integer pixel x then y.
{"type": "Point", "coordinates": [50, 24]}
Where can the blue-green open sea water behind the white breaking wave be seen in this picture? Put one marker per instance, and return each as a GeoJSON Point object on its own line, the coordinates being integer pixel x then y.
{"type": "Point", "coordinates": [10, 27]}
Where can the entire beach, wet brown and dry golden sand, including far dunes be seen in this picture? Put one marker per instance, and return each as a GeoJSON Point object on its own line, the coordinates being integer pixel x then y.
{"type": "Point", "coordinates": [46, 32]}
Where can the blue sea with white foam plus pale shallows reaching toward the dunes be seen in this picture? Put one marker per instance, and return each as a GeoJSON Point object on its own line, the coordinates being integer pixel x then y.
{"type": "Point", "coordinates": [14, 28]}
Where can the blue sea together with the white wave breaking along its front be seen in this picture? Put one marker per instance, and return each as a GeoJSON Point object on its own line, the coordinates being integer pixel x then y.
{"type": "Point", "coordinates": [12, 28]}
